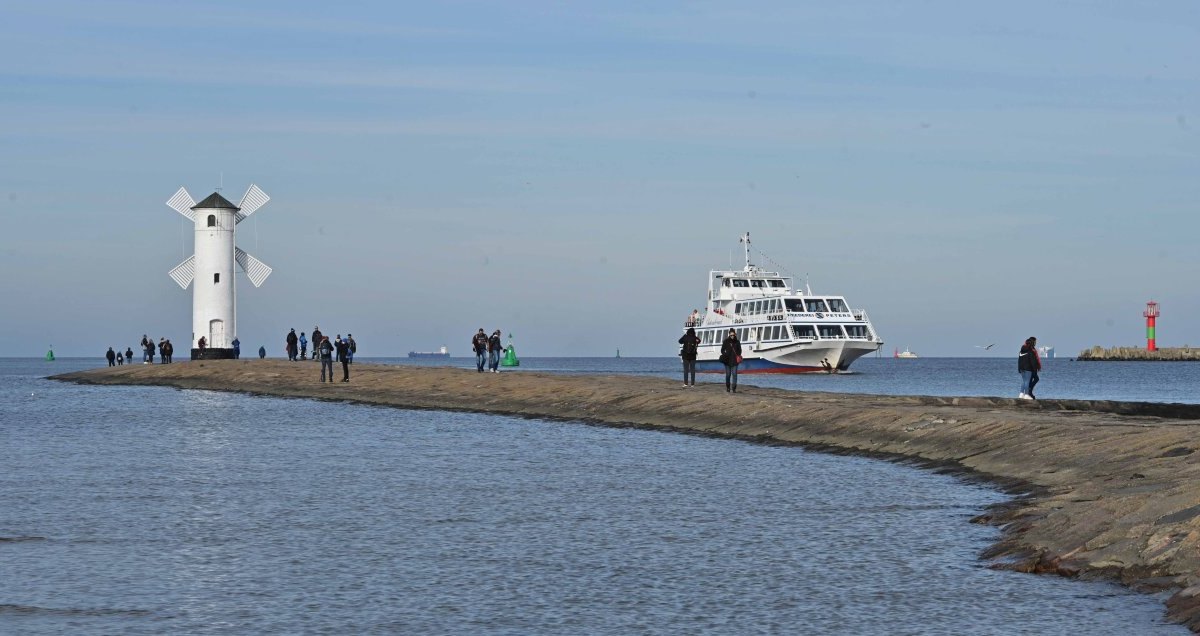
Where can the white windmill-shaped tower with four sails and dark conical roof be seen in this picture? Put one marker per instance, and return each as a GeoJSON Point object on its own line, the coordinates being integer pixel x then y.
{"type": "Point", "coordinates": [213, 267]}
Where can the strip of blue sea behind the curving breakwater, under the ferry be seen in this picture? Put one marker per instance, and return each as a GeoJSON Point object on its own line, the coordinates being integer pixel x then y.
{"type": "Point", "coordinates": [1063, 379]}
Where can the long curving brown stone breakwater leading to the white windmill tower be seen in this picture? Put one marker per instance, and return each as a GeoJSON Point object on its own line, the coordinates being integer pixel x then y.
{"type": "Point", "coordinates": [1103, 490]}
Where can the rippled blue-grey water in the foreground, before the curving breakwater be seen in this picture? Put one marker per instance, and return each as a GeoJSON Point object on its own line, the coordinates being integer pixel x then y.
{"type": "Point", "coordinates": [151, 511]}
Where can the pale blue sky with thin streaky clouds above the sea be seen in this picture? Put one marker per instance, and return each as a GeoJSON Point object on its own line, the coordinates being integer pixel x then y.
{"type": "Point", "coordinates": [571, 172]}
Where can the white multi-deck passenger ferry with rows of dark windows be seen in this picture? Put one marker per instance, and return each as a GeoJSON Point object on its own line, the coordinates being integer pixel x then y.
{"type": "Point", "coordinates": [782, 329]}
